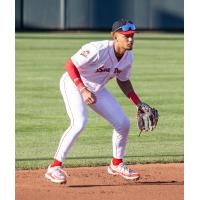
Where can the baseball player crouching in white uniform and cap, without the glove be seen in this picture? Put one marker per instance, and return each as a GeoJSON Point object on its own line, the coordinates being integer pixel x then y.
{"type": "Point", "coordinates": [82, 85]}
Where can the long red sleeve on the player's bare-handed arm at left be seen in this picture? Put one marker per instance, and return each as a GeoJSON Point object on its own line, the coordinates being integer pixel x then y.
{"type": "Point", "coordinates": [74, 74]}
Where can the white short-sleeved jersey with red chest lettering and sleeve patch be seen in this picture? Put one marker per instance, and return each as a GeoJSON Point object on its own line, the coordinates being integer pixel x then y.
{"type": "Point", "coordinates": [97, 64]}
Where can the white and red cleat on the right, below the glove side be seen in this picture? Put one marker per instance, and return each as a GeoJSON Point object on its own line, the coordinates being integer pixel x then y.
{"type": "Point", "coordinates": [123, 171]}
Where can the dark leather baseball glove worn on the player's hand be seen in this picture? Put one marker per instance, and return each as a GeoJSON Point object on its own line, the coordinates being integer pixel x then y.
{"type": "Point", "coordinates": [147, 118]}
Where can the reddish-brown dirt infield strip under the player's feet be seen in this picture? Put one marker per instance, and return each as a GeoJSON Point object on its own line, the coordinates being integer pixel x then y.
{"type": "Point", "coordinates": [157, 182]}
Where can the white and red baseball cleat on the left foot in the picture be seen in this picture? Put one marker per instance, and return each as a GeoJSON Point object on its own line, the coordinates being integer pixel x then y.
{"type": "Point", "coordinates": [56, 174]}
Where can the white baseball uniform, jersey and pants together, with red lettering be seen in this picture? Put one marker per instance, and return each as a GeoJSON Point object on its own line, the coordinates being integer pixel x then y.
{"type": "Point", "coordinates": [97, 64]}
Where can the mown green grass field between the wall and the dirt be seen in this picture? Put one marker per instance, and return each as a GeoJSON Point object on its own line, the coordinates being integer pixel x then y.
{"type": "Point", "coordinates": [40, 113]}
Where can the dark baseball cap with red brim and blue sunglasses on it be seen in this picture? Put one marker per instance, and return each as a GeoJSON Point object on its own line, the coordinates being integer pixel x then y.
{"type": "Point", "coordinates": [124, 27]}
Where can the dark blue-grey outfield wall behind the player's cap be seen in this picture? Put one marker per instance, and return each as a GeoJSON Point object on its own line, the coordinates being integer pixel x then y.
{"type": "Point", "coordinates": [98, 14]}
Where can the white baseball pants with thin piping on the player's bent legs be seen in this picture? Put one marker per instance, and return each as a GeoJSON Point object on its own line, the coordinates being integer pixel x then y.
{"type": "Point", "coordinates": [106, 106]}
